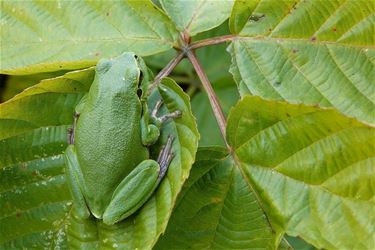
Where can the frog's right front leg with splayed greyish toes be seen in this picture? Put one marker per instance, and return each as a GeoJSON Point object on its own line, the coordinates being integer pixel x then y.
{"type": "Point", "coordinates": [150, 123]}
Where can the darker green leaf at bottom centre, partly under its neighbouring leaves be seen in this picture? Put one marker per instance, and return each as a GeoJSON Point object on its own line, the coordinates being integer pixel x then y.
{"type": "Point", "coordinates": [217, 209]}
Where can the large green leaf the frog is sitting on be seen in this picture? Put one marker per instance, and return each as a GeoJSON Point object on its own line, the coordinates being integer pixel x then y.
{"type": "Point", "coordinates": [35, 201]}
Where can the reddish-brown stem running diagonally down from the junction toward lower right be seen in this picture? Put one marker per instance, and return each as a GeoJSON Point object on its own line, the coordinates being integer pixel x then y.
{"type": "Point", "coordinates": [218, 112]}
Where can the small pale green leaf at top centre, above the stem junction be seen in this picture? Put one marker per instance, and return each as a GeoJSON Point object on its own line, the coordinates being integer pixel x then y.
{"type": "Point", "coordinates": [195, 16]}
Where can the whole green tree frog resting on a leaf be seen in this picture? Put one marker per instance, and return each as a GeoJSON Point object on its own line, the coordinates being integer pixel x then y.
{"type": "Point", "coordinates": [109, 171]}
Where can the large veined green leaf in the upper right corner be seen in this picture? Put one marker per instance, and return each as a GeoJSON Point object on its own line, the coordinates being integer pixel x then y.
{"type": "Point", "coordinates": [313, 52]}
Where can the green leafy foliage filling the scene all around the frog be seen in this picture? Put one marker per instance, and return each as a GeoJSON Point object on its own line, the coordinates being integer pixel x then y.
{"type": "Point", "coordinates": [299, 168]}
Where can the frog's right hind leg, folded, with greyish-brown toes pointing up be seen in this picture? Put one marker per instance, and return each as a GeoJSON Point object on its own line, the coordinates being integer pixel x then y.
{"type": "Point", "coordinates": [138, 186]}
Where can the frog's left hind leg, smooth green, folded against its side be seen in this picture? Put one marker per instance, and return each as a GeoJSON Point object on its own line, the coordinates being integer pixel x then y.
{"type": "Point", "coordinates": [75, 182]}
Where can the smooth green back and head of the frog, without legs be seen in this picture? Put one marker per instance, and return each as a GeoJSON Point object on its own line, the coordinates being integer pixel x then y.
{"type": "Point", "coordinates": [108, 136]}
